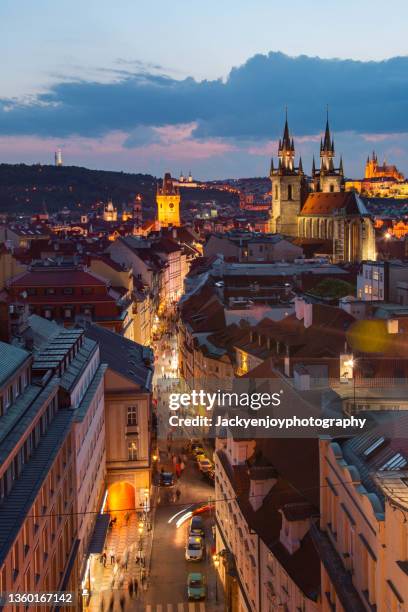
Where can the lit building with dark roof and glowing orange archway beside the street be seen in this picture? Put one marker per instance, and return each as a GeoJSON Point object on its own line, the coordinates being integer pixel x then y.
{"type": "Point", "coordinates": [128, 418]}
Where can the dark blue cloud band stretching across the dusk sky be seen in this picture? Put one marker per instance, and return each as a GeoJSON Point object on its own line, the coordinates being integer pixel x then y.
{"type": "Point", "coordinates": [367, 97]}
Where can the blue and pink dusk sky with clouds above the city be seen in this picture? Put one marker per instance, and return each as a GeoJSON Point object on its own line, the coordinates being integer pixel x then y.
{"type": "Point", "coordinates": [201, 86]}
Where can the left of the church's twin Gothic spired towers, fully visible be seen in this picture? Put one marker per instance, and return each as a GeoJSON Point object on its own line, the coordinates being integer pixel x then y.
{"type": "Point", "coordinates": [288, 188]}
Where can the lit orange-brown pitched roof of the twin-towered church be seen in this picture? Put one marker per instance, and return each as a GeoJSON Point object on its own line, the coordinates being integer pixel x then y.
{"type": "Point", "coordinates": [330, 203]}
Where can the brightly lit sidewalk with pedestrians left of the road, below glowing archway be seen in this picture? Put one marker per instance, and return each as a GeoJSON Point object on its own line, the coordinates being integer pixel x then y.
{"type": "Point", "coordinates": [111, 582]}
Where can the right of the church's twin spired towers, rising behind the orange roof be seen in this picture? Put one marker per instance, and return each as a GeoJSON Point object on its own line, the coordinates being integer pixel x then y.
{"type": "Point", "coordinates": [328, 178]}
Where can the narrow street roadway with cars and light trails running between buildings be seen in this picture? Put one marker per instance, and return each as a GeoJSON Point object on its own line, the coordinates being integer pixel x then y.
{"type": "Point", "coordinates": [169, 569]}
